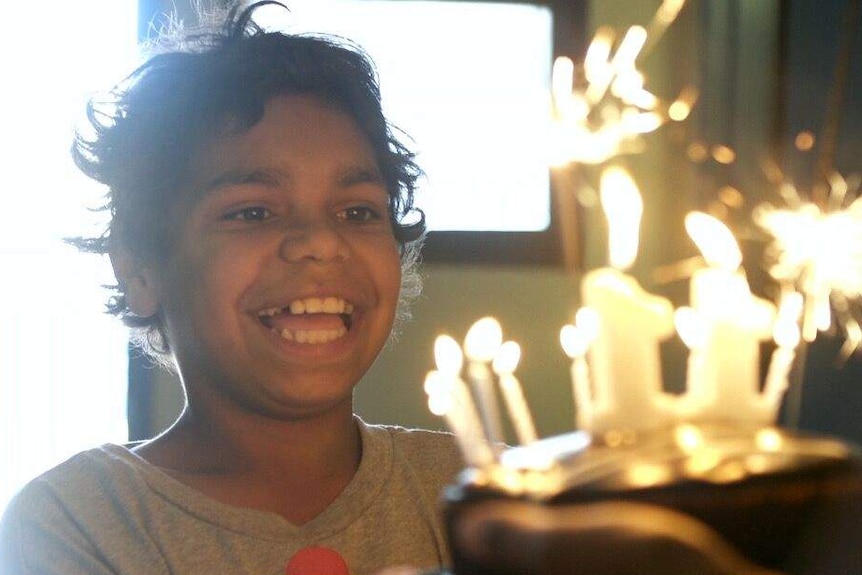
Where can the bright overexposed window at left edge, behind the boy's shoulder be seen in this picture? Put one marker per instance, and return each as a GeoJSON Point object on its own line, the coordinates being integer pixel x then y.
{"type": "Point", "coordinates": [62, 363]}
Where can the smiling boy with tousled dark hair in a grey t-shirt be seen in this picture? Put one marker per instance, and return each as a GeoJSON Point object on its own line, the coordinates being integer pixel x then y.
{"type": "Point", "coordinates": [260, 220]}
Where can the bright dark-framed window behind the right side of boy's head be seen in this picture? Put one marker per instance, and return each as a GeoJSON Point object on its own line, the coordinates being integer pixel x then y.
{"type": "Point", "coordinates": [469, 83]}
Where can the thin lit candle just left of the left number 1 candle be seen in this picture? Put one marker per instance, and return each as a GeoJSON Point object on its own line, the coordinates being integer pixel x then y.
{"type": "Point", "coordinates": [576, 340]}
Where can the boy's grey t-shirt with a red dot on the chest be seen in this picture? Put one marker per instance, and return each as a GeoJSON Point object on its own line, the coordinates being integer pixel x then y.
{"type": "Point", "coordinates": [106, 510]}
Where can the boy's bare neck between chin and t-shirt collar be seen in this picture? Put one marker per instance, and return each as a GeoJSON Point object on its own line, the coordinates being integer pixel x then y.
{"type": "Point", "coordinates": [294, 468]}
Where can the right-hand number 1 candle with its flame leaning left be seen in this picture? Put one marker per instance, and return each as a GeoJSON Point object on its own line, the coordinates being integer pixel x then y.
{"type": "Point", "coordinates": [736, 323]}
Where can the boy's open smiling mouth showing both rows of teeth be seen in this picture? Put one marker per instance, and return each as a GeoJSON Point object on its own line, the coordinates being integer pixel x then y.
{"type": "Point", "coordinates": [310, 320]}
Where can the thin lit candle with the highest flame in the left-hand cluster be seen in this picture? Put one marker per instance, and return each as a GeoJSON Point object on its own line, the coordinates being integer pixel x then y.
{"type": "Point", "coordinates": [480, 346]}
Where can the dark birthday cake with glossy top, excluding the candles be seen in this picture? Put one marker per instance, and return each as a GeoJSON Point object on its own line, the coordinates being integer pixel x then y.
{"type": "Point", "coordinates": [785, 501]}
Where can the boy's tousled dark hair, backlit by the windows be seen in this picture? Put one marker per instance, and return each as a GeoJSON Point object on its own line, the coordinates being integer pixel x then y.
{"type": "Point", "coordinates": [203, 84]}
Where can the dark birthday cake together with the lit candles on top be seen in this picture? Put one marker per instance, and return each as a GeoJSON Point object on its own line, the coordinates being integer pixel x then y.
{"type": "Point", "coordinates": [712, 453]}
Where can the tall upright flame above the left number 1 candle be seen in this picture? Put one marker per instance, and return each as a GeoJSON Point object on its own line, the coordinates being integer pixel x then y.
{"type": "Point", "coordinates": [623, 206]}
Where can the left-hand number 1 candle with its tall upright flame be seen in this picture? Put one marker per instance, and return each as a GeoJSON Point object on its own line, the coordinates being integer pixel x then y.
{"type": "Point", "coordinates": [625, 356]}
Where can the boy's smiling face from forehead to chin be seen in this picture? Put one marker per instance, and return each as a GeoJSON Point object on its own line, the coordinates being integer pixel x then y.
{"type": "Point", "coordinates": [284, 277]}
